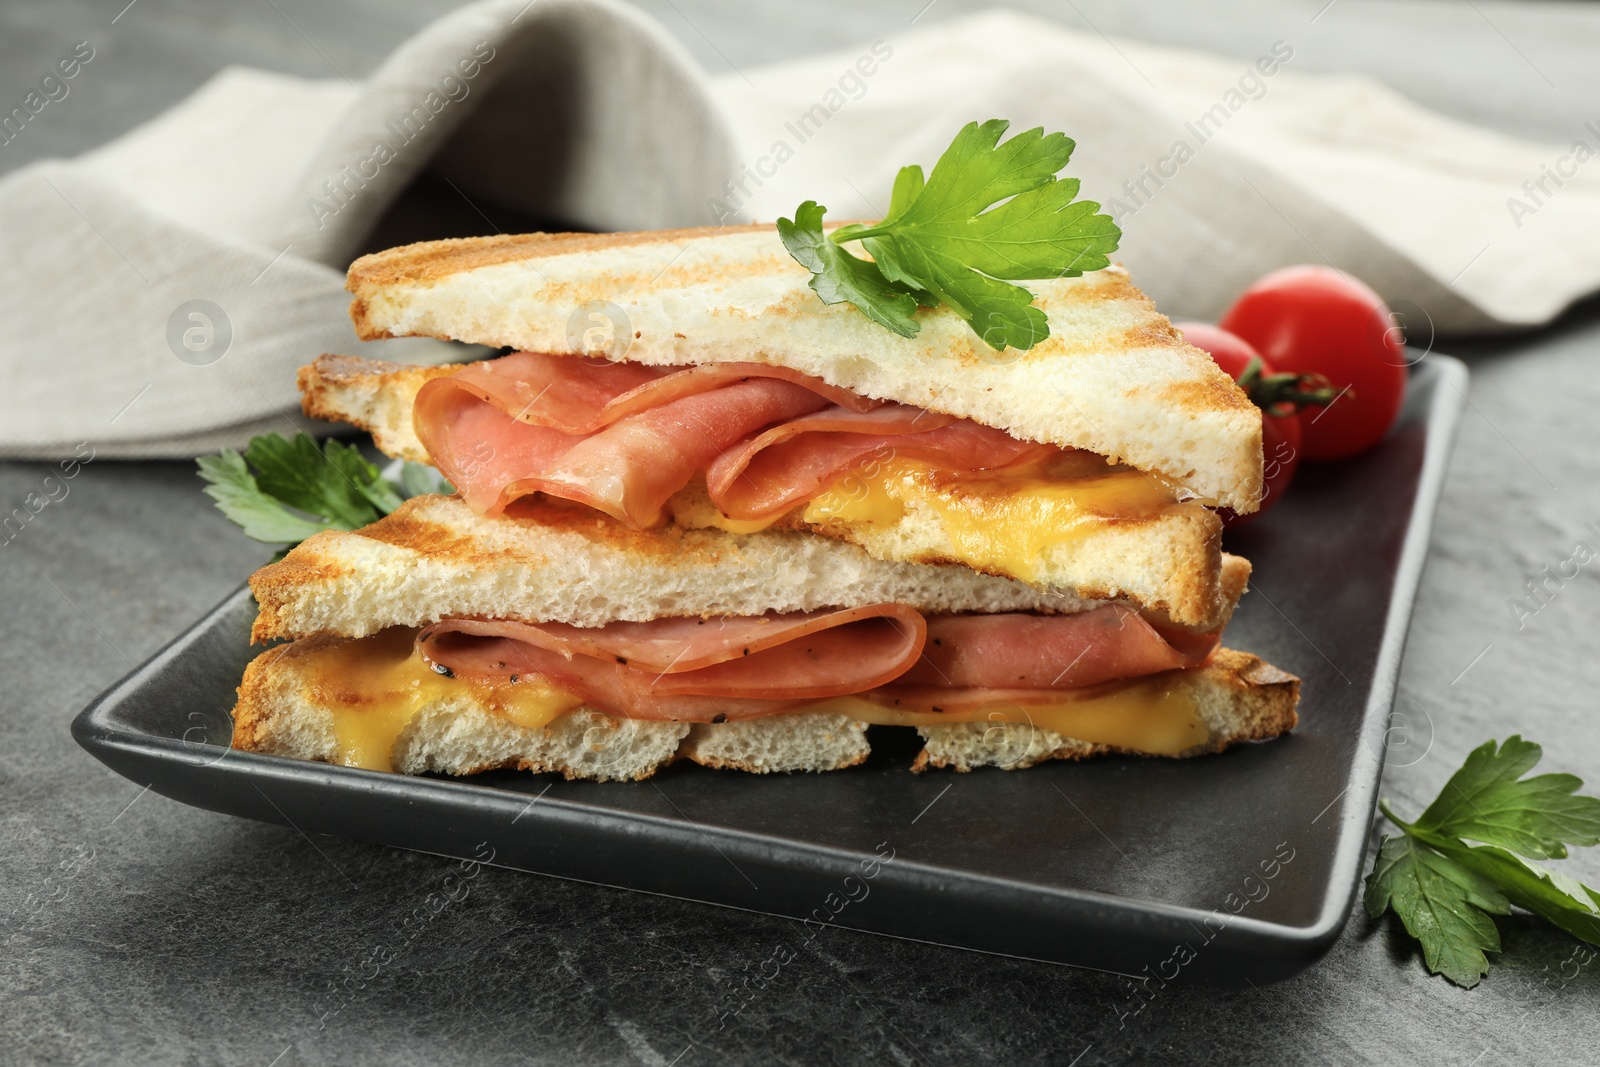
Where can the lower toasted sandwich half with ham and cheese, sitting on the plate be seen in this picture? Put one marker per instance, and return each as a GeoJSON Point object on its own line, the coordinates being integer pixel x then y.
{"type": "Point", "coordinates": [577, 644]}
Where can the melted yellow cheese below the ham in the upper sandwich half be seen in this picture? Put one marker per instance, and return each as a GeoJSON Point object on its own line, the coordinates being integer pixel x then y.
{"type": "Point", "coordinates": [1002, 521]}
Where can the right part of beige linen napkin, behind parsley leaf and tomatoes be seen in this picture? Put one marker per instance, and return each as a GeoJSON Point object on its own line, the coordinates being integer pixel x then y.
{"type": "Point", "coordinates": [1218, 170]}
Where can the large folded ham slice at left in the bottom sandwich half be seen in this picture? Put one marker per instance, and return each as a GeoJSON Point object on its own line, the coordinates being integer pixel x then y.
{"type": "Point", "coordinates": [692, 669]}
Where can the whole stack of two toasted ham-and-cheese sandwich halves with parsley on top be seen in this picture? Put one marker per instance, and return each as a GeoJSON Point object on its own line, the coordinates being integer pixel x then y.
{"type": "Point", "coordinates": [742, 498]}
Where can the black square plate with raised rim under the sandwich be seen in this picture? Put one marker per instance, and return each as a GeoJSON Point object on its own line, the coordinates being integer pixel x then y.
{"type": "Point", "coordinates": [1241, 865]}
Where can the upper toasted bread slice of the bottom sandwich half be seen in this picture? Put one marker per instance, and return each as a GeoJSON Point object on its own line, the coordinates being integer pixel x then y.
{"type": "Point", "coordinates": [434, 559]}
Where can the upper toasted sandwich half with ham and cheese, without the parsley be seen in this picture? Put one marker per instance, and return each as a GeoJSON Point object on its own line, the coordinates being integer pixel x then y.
{"type": "Point", "coordinates": [719, 393]}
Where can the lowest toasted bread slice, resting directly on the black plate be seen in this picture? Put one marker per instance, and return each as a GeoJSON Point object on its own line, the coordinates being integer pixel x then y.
{"type": "Point", "coordinates": [281, 713]}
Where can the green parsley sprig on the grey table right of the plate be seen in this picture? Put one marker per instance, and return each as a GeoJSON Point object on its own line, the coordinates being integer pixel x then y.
{"type": "Point", "coordinates": [1447, 892]}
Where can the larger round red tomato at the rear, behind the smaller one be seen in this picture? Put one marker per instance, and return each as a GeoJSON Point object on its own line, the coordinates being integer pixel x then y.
{"type": "Point", "coordinates": [1318, 321]}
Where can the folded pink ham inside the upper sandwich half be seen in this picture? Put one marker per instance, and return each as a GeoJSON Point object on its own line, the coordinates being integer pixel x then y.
{"type": "Point", "coordinates": [623, 439]}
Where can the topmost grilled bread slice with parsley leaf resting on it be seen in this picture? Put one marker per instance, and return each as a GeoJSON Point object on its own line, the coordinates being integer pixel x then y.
{"type": "Point", "coordinates": [1113, 377]}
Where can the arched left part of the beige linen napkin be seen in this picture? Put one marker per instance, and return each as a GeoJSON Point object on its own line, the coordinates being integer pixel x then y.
{"type": "Point", "coordinates": [161, 292]}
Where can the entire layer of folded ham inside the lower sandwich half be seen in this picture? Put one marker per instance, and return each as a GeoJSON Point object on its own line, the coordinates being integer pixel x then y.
{"type": "Point", "coordinates": [753, 666]}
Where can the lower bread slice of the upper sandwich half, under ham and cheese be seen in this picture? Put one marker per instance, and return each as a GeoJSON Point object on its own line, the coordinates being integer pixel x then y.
{"type": "Point", "coordinates": [1167, 562]}
